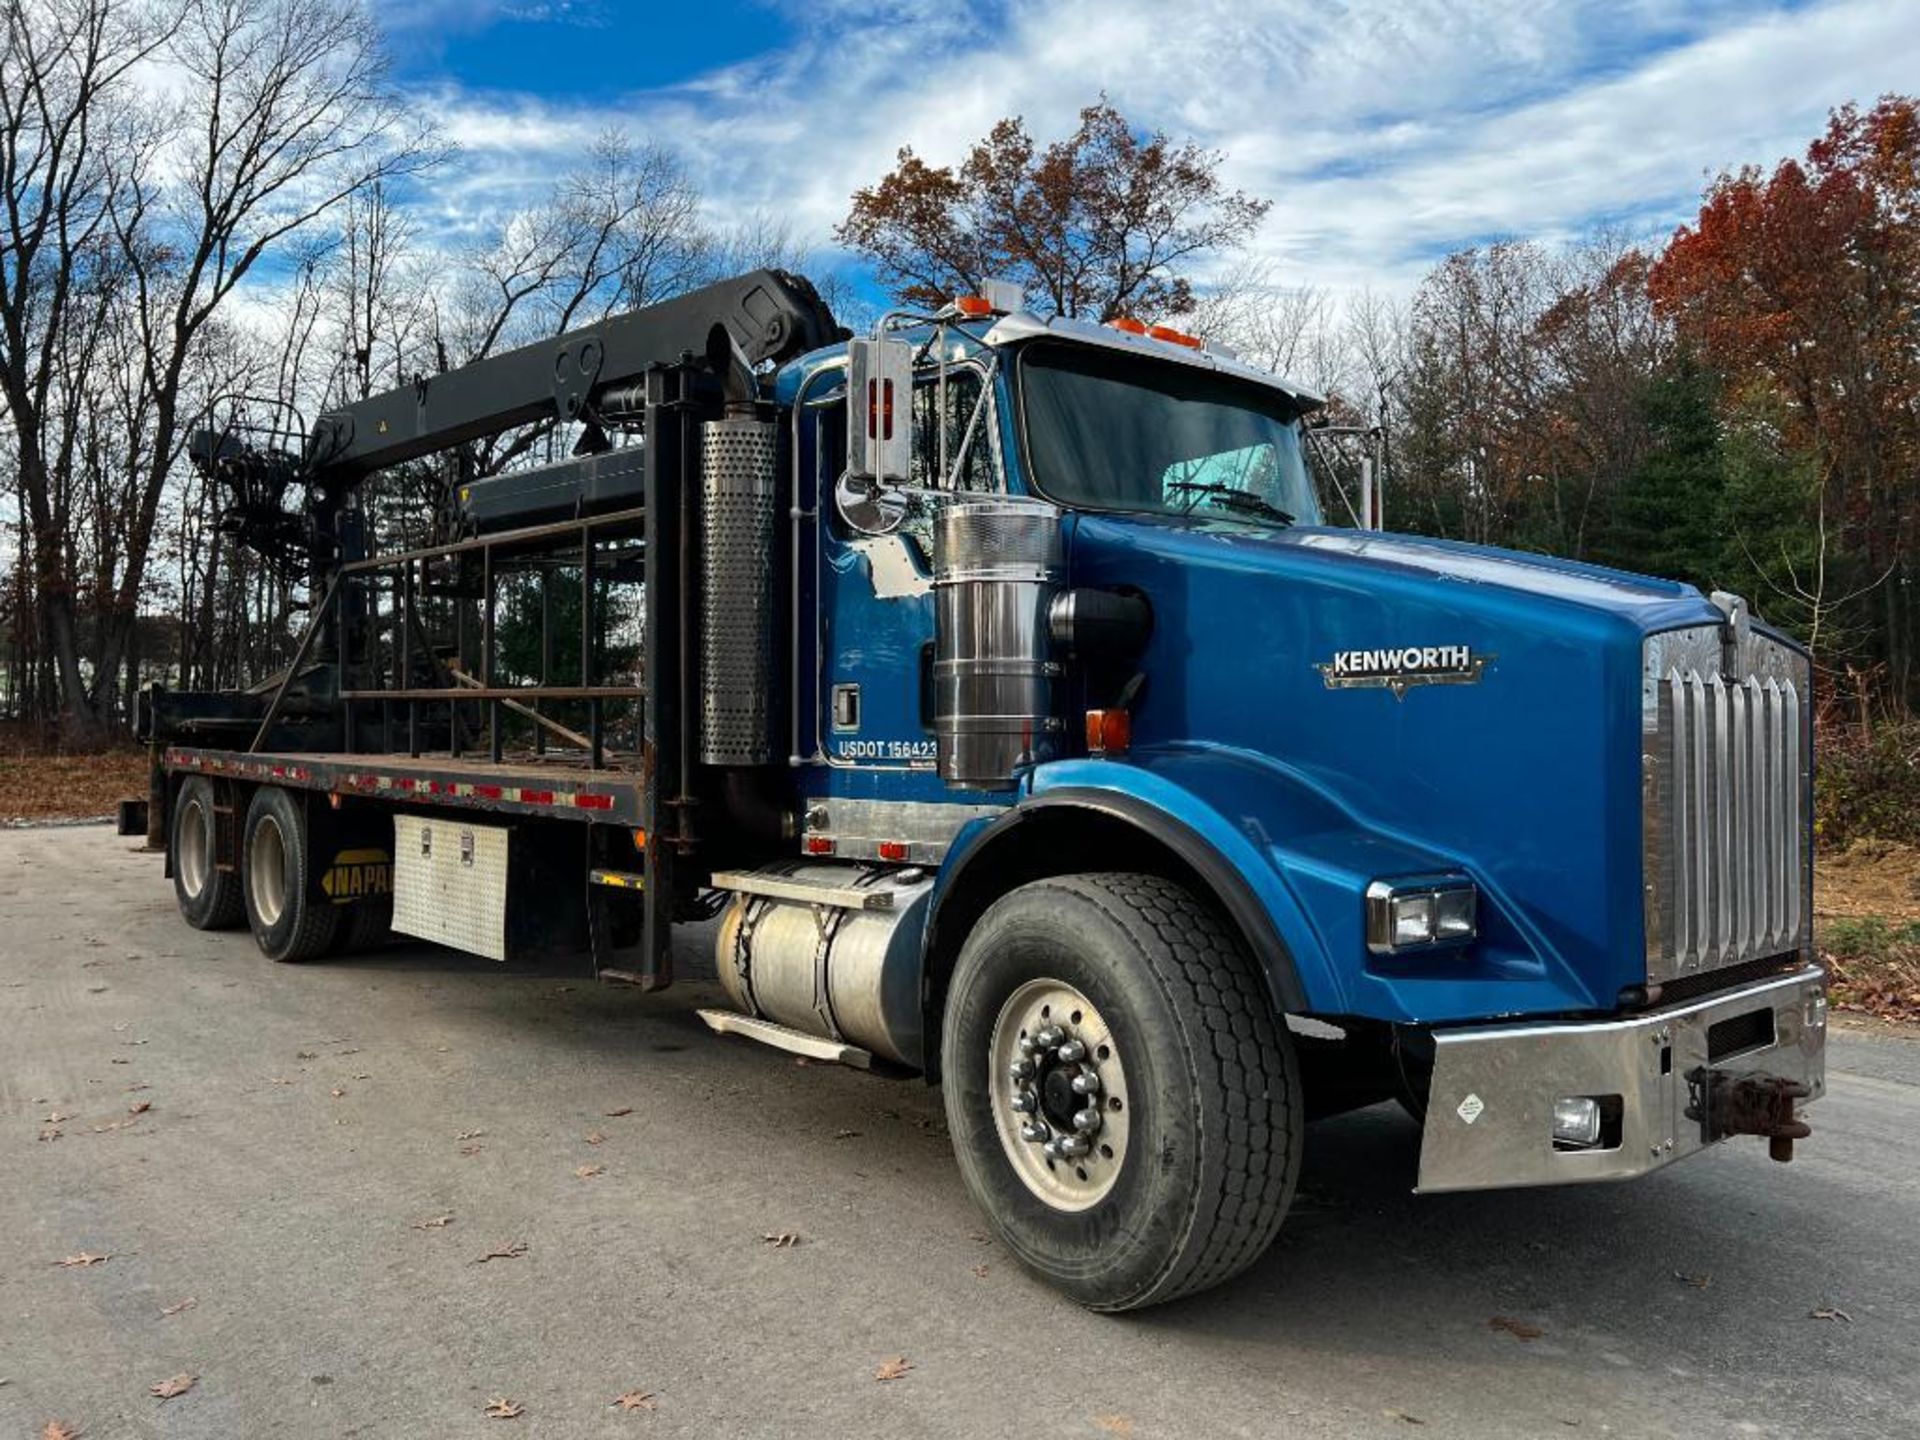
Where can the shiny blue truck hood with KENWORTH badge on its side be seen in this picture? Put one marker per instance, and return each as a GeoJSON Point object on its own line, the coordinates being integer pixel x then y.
{"type": "Point", "coordinates": [1445, 706]}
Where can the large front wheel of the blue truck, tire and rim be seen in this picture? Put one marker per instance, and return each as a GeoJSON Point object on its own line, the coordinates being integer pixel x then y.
{"type": "Point", "coordinates": [1124, 1105]}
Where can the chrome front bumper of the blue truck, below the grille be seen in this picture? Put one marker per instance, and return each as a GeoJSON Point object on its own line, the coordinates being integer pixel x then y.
{"type": "Point", "coordinates": [1491, 1105]}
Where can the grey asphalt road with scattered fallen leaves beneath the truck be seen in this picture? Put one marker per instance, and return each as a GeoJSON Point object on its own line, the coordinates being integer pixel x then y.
{"type": "Point", "coordinates": [308, 1122]}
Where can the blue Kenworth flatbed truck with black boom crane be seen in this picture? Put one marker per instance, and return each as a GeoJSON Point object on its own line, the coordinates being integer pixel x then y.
{"type": "Point", "coordinates": [999, 690]}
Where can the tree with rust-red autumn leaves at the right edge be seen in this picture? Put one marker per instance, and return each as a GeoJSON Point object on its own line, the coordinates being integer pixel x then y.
{"type": "Point", "coordinates": [1804, 287]}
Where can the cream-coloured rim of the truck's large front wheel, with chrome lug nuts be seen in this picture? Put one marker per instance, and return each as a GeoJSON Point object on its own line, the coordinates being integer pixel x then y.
{"type": "Point", "coordinates": [1059, 1095]}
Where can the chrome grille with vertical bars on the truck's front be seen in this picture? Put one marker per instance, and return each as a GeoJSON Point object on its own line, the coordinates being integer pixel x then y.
{"type": "Point", "coordinates": [1725, 763]}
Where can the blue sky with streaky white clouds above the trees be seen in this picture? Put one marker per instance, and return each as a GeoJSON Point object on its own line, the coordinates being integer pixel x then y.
{"type": "Point", "coordinates": [1385, 132]}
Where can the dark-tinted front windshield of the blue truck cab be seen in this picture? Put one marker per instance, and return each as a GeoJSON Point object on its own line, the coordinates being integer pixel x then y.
{"type": "Point", "coordinates": [1120, 433]}
